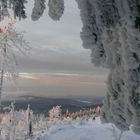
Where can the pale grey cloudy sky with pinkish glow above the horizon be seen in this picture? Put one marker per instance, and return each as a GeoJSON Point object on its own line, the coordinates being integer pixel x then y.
{"type": "Point", "coordinates": [57, 65]}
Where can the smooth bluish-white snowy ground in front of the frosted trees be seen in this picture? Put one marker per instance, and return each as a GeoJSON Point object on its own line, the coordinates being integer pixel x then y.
{"type": "Point", "coordinates": [92, 130]}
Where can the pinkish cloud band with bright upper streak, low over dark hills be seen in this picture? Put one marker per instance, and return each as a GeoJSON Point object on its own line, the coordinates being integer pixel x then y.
{"type": "Point", "coordinates": [59, 84]}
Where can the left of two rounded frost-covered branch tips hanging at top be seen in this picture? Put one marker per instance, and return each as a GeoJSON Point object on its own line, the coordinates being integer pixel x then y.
{"type": "Point", "coordinates": [38, 10]}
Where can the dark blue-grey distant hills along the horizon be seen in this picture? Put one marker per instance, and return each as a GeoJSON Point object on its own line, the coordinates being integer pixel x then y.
{"type": "Point", "coordinates": [42, 104]}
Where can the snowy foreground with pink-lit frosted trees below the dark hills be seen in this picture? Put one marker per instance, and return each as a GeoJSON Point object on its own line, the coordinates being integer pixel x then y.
{"type": "Point", "coordinates": [14, 126]}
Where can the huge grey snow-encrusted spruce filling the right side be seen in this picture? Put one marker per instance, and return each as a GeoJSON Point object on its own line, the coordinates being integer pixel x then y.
{"type": "Point", "coordinates": [111, 30]}
